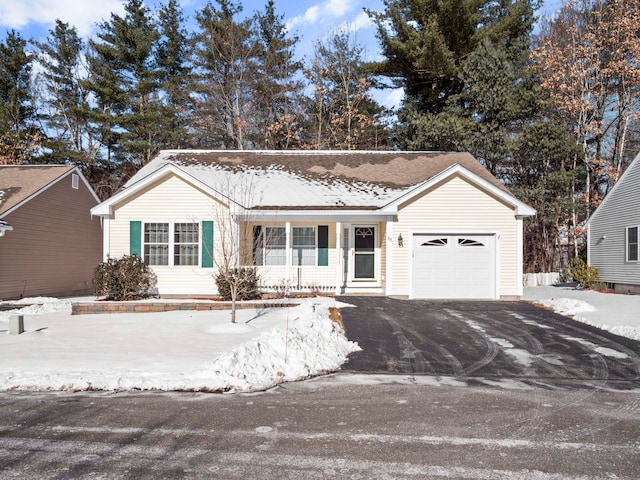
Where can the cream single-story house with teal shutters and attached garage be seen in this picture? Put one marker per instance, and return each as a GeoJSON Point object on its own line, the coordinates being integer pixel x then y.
{"type": "Point", "coordinates": [413, 224]}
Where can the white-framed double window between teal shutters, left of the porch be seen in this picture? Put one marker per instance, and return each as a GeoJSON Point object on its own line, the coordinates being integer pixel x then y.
{"type": "Point", "coordinates": [181, 239]}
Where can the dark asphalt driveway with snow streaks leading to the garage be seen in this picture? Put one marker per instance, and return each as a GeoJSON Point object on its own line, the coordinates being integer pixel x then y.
{"type": "Point", "coordinates": [486, 341]}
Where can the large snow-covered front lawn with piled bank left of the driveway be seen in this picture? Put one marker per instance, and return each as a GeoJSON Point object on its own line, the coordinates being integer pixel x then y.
{"type": "Point", "coordinates": [180, 350]}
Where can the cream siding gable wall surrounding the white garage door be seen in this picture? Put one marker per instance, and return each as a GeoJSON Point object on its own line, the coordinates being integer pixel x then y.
{"type": "Point", "coordinates": [456, 206]}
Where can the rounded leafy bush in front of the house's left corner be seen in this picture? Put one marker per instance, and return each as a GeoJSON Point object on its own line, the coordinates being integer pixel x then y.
{"type": "Point", "coordinates": [125, 278]}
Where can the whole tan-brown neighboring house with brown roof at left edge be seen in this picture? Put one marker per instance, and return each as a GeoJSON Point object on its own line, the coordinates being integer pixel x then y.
{"type": "Point", "coordinates": [49, 243]}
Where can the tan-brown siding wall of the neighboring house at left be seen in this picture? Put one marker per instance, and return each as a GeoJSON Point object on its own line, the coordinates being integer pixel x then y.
{"type": "Point", "coordinates": [55, 245]}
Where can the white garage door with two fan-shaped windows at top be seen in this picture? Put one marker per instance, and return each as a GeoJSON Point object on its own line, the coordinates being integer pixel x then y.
{"type": "Point", "coordinates": [453, 266]}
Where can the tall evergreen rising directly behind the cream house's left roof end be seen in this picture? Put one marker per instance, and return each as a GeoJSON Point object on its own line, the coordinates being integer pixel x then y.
{"type": "Point", "coordinates": [125, 80]}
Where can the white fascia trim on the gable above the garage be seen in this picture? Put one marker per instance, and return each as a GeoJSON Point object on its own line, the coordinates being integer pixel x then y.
{"type": "Point", "coordinates": [521, 208]}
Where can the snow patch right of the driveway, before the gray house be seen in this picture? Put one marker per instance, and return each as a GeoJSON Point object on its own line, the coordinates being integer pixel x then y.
{"type": "Point", "coordinates": [619, 314]}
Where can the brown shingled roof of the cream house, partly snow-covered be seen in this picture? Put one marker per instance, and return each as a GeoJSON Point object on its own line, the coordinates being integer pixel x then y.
{"type": "Point", "coordinates": [312, 180]}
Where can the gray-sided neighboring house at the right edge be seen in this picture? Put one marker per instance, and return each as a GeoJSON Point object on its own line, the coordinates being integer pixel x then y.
{"type": "Point", "coordinates": [613, 234]}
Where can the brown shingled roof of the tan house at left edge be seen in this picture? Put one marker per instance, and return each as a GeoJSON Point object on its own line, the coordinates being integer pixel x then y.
{"type": "Point", "coordinates": [20, 183]}
